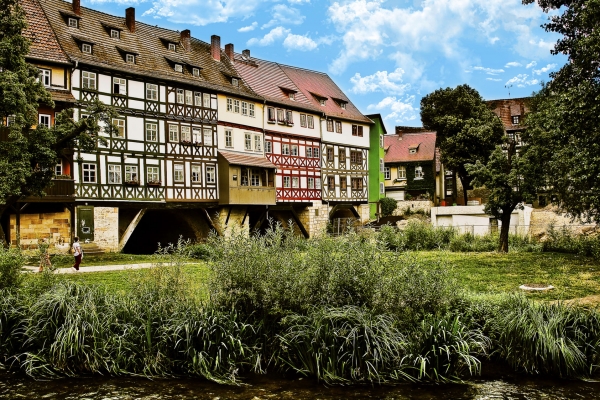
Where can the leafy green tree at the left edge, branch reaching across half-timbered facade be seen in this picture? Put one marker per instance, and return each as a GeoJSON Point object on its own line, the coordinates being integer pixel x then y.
{"type": "Point", "coordinates": [28, 153]}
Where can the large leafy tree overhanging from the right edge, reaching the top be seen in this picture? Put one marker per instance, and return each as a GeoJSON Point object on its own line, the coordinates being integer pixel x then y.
{"type": "Point", "coordinates": [563, 129]}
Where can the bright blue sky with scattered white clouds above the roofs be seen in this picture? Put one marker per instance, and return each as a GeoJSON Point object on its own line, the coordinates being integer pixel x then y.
{"type": "Point", "coordinates": [385, 55]}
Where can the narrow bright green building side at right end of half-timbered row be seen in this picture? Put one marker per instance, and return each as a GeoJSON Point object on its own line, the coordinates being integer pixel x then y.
{"type": "Point", "coordinates": [376, 164]}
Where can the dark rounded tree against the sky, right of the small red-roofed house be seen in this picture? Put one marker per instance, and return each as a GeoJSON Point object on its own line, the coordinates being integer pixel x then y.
{"type": "Point", "coordinates": [467, 130]}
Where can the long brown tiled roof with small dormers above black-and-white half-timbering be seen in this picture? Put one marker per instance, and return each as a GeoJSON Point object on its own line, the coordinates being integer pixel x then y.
{"type": "Point", "coordinates": [148, 42]}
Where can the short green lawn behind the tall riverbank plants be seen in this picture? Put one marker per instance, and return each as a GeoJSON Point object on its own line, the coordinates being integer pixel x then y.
{"type": "Point", "coordinates": [573, 276]}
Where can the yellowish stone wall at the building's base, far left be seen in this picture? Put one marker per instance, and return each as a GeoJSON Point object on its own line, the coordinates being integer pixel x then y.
{"type": "Point", "coordinates": [34, 227]}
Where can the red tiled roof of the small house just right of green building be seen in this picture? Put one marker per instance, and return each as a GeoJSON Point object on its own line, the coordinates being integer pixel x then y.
{"type": "Point", "coordinates": [398, 147]}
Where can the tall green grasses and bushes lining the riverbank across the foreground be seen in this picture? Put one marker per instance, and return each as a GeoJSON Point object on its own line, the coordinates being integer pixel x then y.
{"type": "Point", "coordinates": [341, 310]}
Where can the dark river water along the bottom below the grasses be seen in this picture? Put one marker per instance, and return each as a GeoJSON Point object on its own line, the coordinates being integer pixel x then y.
{"type": "Point", "coordinates": [259, 388]}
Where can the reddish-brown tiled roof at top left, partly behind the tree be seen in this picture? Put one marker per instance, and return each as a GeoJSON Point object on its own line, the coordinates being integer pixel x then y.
{"type": "Point", "coordinates": [44, 44]}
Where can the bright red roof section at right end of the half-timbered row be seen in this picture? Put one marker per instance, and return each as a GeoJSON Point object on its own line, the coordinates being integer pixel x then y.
{"type": "Point", "coordinates": [317, 85]}
